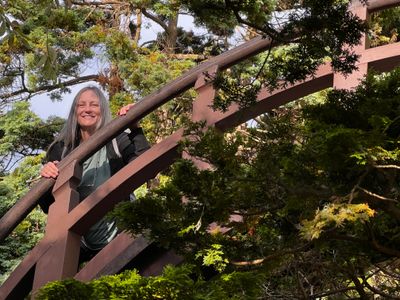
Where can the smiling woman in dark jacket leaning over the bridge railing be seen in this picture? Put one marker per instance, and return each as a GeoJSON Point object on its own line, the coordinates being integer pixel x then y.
{"type": "Point", "coordinates": [90, 112]}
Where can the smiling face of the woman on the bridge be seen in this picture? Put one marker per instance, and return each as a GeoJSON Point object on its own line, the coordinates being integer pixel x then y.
{"type": "Point", "coordinates": [88, 111]}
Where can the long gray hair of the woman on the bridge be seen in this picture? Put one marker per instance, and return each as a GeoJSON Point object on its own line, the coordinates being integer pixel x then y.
{"type": "Point", "coordinates": [70, 134]}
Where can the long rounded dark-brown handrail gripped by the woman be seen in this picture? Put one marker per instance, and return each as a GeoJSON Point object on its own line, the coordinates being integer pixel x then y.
{"type": "Point", "coordinates": [148, 104]}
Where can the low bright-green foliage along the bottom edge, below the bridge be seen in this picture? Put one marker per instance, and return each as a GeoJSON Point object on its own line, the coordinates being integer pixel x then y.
{"type": "Point", "coordinates": [174, 283]}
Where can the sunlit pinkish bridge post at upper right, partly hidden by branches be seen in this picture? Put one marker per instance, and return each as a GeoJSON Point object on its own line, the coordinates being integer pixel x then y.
{"type": "Point", "coordinates": [350, 81]}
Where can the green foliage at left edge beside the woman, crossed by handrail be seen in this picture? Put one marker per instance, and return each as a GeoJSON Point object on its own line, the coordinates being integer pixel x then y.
{"type": "Point", "coordinates": [23, 139]}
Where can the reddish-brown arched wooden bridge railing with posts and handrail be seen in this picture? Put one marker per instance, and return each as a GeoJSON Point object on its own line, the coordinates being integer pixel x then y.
{"type": "Point", "coordinates": [56, 255]}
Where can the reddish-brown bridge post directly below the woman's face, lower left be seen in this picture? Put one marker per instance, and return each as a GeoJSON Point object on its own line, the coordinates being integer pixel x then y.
{"type": "Point", "coordinates": [61, 260]}
